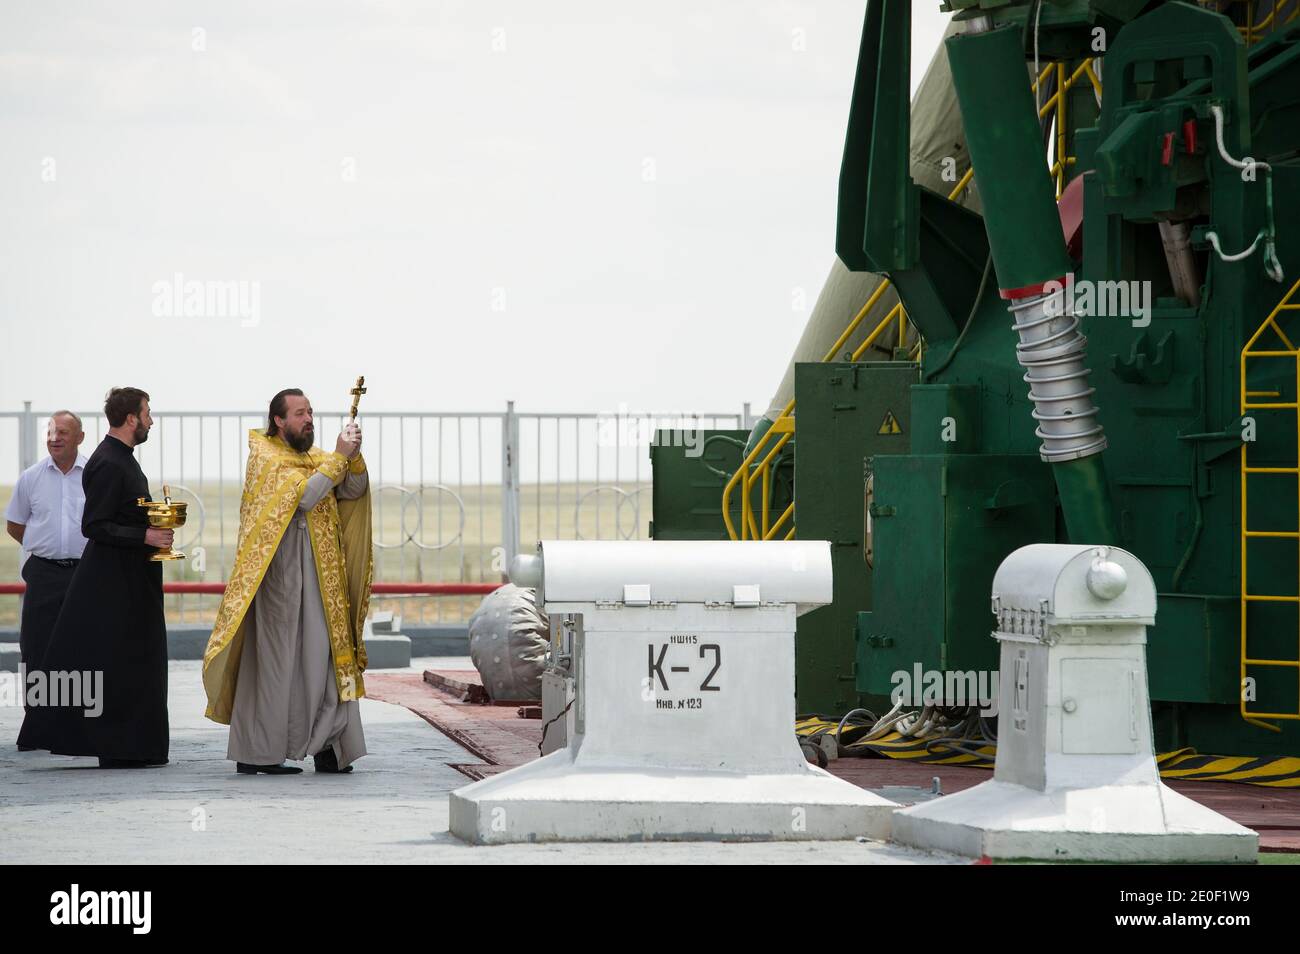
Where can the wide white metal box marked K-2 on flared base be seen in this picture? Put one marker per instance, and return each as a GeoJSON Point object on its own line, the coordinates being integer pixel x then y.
{"type": "Point", "coordinates": [682, 725]}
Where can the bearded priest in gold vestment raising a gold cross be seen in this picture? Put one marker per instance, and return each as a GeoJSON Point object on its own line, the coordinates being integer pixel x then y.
{"type": "Point", "coordinates": [285, 661]}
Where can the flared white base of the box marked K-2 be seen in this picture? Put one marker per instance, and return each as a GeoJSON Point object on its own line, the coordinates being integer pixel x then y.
{"type": "Point", "coordinates": [553, 800]}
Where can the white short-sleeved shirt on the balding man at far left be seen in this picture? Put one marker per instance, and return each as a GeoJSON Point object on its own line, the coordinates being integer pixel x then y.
{"type": "Point", "coordinates": [50, 505]}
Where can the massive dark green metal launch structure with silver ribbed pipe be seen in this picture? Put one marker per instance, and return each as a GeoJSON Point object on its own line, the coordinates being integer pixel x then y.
{"type": "Point", "coordinates": [1110, 355]}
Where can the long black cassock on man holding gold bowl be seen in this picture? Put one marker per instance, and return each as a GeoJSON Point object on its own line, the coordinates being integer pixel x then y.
{"type": "Point", "coordinates": [112, 623]}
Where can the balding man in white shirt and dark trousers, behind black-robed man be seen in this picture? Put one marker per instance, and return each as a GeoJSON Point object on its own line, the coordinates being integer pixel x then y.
{"type": "Point", "coordinates": [45, 517]}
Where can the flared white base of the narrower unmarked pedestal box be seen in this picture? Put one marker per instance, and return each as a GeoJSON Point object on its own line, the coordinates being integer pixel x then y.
{"type": "Point", "coordinates": [1110, 823]}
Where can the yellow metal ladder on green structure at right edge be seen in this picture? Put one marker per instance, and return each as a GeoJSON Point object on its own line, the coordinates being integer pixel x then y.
{"type": "Point", "coordinates": [1256, 350]}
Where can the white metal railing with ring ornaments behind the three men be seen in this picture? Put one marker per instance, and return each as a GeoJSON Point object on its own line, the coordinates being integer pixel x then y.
{"type": "Point", "coordinates": [456, 495]}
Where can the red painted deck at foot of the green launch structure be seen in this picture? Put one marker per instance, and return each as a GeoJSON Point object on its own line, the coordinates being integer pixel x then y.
{"type": "Point", "coordinates": [501, 739]}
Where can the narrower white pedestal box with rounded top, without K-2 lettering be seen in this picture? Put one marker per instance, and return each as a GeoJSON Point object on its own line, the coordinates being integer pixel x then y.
{"type": "Point", "coordinates": [1076, 777]}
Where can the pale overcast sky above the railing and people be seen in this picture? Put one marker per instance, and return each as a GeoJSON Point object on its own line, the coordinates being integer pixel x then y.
{"type": "Point", "coordinates": [574, 206]}
